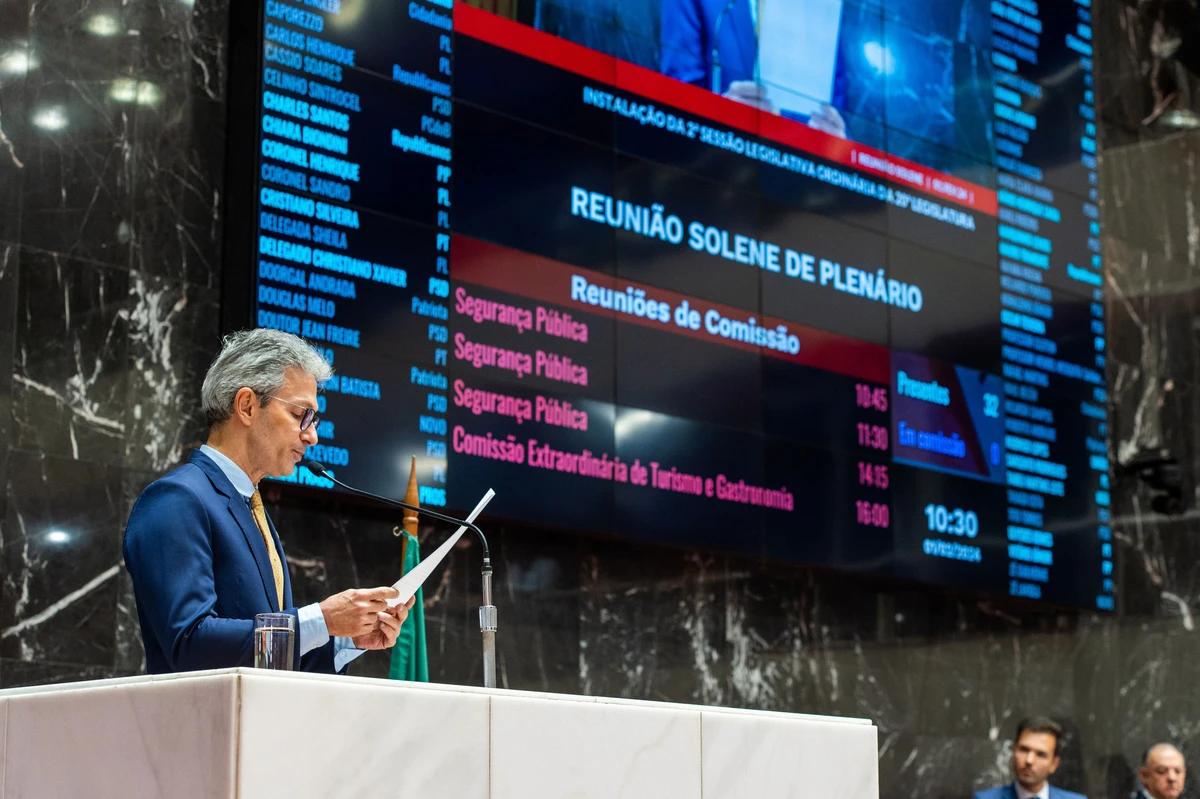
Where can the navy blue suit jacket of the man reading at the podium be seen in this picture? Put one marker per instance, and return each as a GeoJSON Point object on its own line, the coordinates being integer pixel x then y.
{"type": "Point", "coordinates": [201, 573]}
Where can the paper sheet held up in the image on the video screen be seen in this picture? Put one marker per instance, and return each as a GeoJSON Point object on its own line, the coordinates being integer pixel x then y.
{"type": "Point", "coordinates": [799, 52]}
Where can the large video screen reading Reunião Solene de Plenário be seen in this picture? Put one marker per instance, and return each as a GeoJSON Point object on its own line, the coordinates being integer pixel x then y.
{"type": "Point", "coordinates": [817, 281]}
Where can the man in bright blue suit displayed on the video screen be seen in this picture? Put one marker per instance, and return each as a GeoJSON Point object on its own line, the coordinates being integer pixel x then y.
{"type": "Point", "coordinates": [715, 45]}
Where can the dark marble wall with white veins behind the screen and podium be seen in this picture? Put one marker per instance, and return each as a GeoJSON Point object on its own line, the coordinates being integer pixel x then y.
{"type": "Point", "coordinates": [111, 178]}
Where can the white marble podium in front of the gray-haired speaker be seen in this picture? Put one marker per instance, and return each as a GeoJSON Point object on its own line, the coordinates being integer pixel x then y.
{"type": "Point", "coordinates": [253, 734]}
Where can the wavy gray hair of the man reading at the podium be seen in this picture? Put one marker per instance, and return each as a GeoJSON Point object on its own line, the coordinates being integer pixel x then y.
{"type": "Point", "coordinates": [256, 361]}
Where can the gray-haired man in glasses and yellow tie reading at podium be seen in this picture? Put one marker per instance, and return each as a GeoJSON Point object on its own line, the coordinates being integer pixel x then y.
{"type": "Point", "coordinates": [202, 552]}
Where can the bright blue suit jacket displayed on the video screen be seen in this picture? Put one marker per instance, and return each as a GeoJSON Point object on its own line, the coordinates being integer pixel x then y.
{"type": "Point", "coordinates": [691, 34]}
